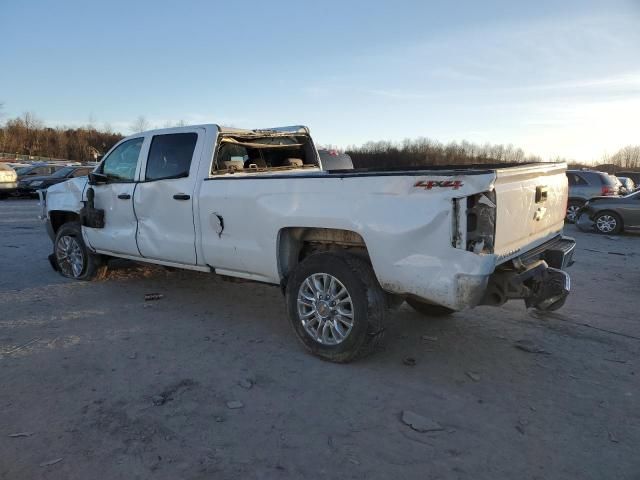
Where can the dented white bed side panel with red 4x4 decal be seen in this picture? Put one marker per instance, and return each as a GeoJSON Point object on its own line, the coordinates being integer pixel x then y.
{"type": "Point", "coordinates": [407, 228]}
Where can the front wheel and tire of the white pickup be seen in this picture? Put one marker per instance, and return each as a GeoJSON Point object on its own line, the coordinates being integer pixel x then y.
{"type": "Point", "coordinates": [72, 257]}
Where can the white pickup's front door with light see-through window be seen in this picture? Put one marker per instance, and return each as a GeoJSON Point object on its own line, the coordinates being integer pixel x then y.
{"type": "Point", "coordinates": [116, 199]}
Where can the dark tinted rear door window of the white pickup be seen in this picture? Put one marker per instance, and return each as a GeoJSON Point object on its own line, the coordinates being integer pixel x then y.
{"type": "Point", "coordinates": [170, 155]}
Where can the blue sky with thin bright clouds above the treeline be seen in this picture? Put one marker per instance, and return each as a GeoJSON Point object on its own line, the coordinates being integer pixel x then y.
{"type": "Point", "coordinates": [559, 79]}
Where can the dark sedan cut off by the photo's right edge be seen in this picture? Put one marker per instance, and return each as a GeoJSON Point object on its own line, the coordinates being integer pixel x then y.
{"type": "Point", "coordinates": [611, 215]}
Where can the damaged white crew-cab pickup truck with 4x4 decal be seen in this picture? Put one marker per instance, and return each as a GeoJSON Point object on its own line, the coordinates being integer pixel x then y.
{"type": "Point", "coordinates": [344, 244]}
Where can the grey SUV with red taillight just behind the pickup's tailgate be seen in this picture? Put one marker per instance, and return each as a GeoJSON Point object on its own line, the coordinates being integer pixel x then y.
{"type": "Point", "coordinates": [584, 185]}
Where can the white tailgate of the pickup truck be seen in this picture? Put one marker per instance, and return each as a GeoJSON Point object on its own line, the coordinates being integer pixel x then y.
{"type": "Point", "coordinates": [531, 204]}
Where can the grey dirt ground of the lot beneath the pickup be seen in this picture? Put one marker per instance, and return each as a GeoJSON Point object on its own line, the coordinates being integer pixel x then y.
{"type": "Point", "coordinates": [102, 384]}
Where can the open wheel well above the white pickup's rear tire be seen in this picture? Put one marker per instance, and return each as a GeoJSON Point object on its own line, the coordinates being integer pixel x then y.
{"type": "Point", "coordinates": [297, 243]}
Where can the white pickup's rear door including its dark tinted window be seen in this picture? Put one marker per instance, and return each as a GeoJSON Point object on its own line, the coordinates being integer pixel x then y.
{"type": "Point", "coordinates": [164, 199]}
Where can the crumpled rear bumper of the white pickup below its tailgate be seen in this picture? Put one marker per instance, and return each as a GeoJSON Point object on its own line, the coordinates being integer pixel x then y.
{"type": "Point", "coordinates": [537, 277]}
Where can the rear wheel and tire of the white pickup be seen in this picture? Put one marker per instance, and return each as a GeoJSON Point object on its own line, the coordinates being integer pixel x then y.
{"type": "Point", "coordinates": [322, 326]}
